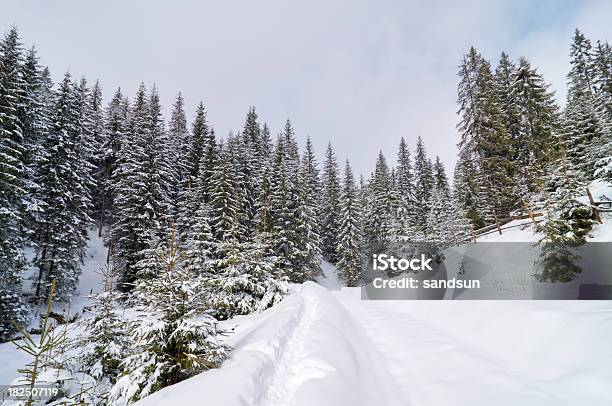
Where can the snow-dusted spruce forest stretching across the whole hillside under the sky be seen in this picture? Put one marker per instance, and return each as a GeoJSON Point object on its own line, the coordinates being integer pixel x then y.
{"type": "Point", "coordinates": [237, 216]}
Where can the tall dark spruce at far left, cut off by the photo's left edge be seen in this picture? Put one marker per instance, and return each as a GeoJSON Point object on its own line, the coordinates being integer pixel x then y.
{"type": "Point", "coordinates": [12, 183]}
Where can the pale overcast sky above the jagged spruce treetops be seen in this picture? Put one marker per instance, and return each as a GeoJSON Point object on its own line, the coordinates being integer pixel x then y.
{"type": "Point", "coordinates": [360, 74]}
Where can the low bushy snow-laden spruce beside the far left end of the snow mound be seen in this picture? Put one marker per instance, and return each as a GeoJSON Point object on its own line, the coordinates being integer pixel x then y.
{"type": "Point", "coordinates": [245, 279]}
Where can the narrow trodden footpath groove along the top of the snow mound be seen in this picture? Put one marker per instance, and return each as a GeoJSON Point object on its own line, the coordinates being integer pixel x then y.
{"type": "Point", "coordinates": [286, 378]}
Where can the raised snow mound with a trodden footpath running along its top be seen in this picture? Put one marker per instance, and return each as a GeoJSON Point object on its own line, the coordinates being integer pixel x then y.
{"type": "Point", "coordinates": [305, 351]}
